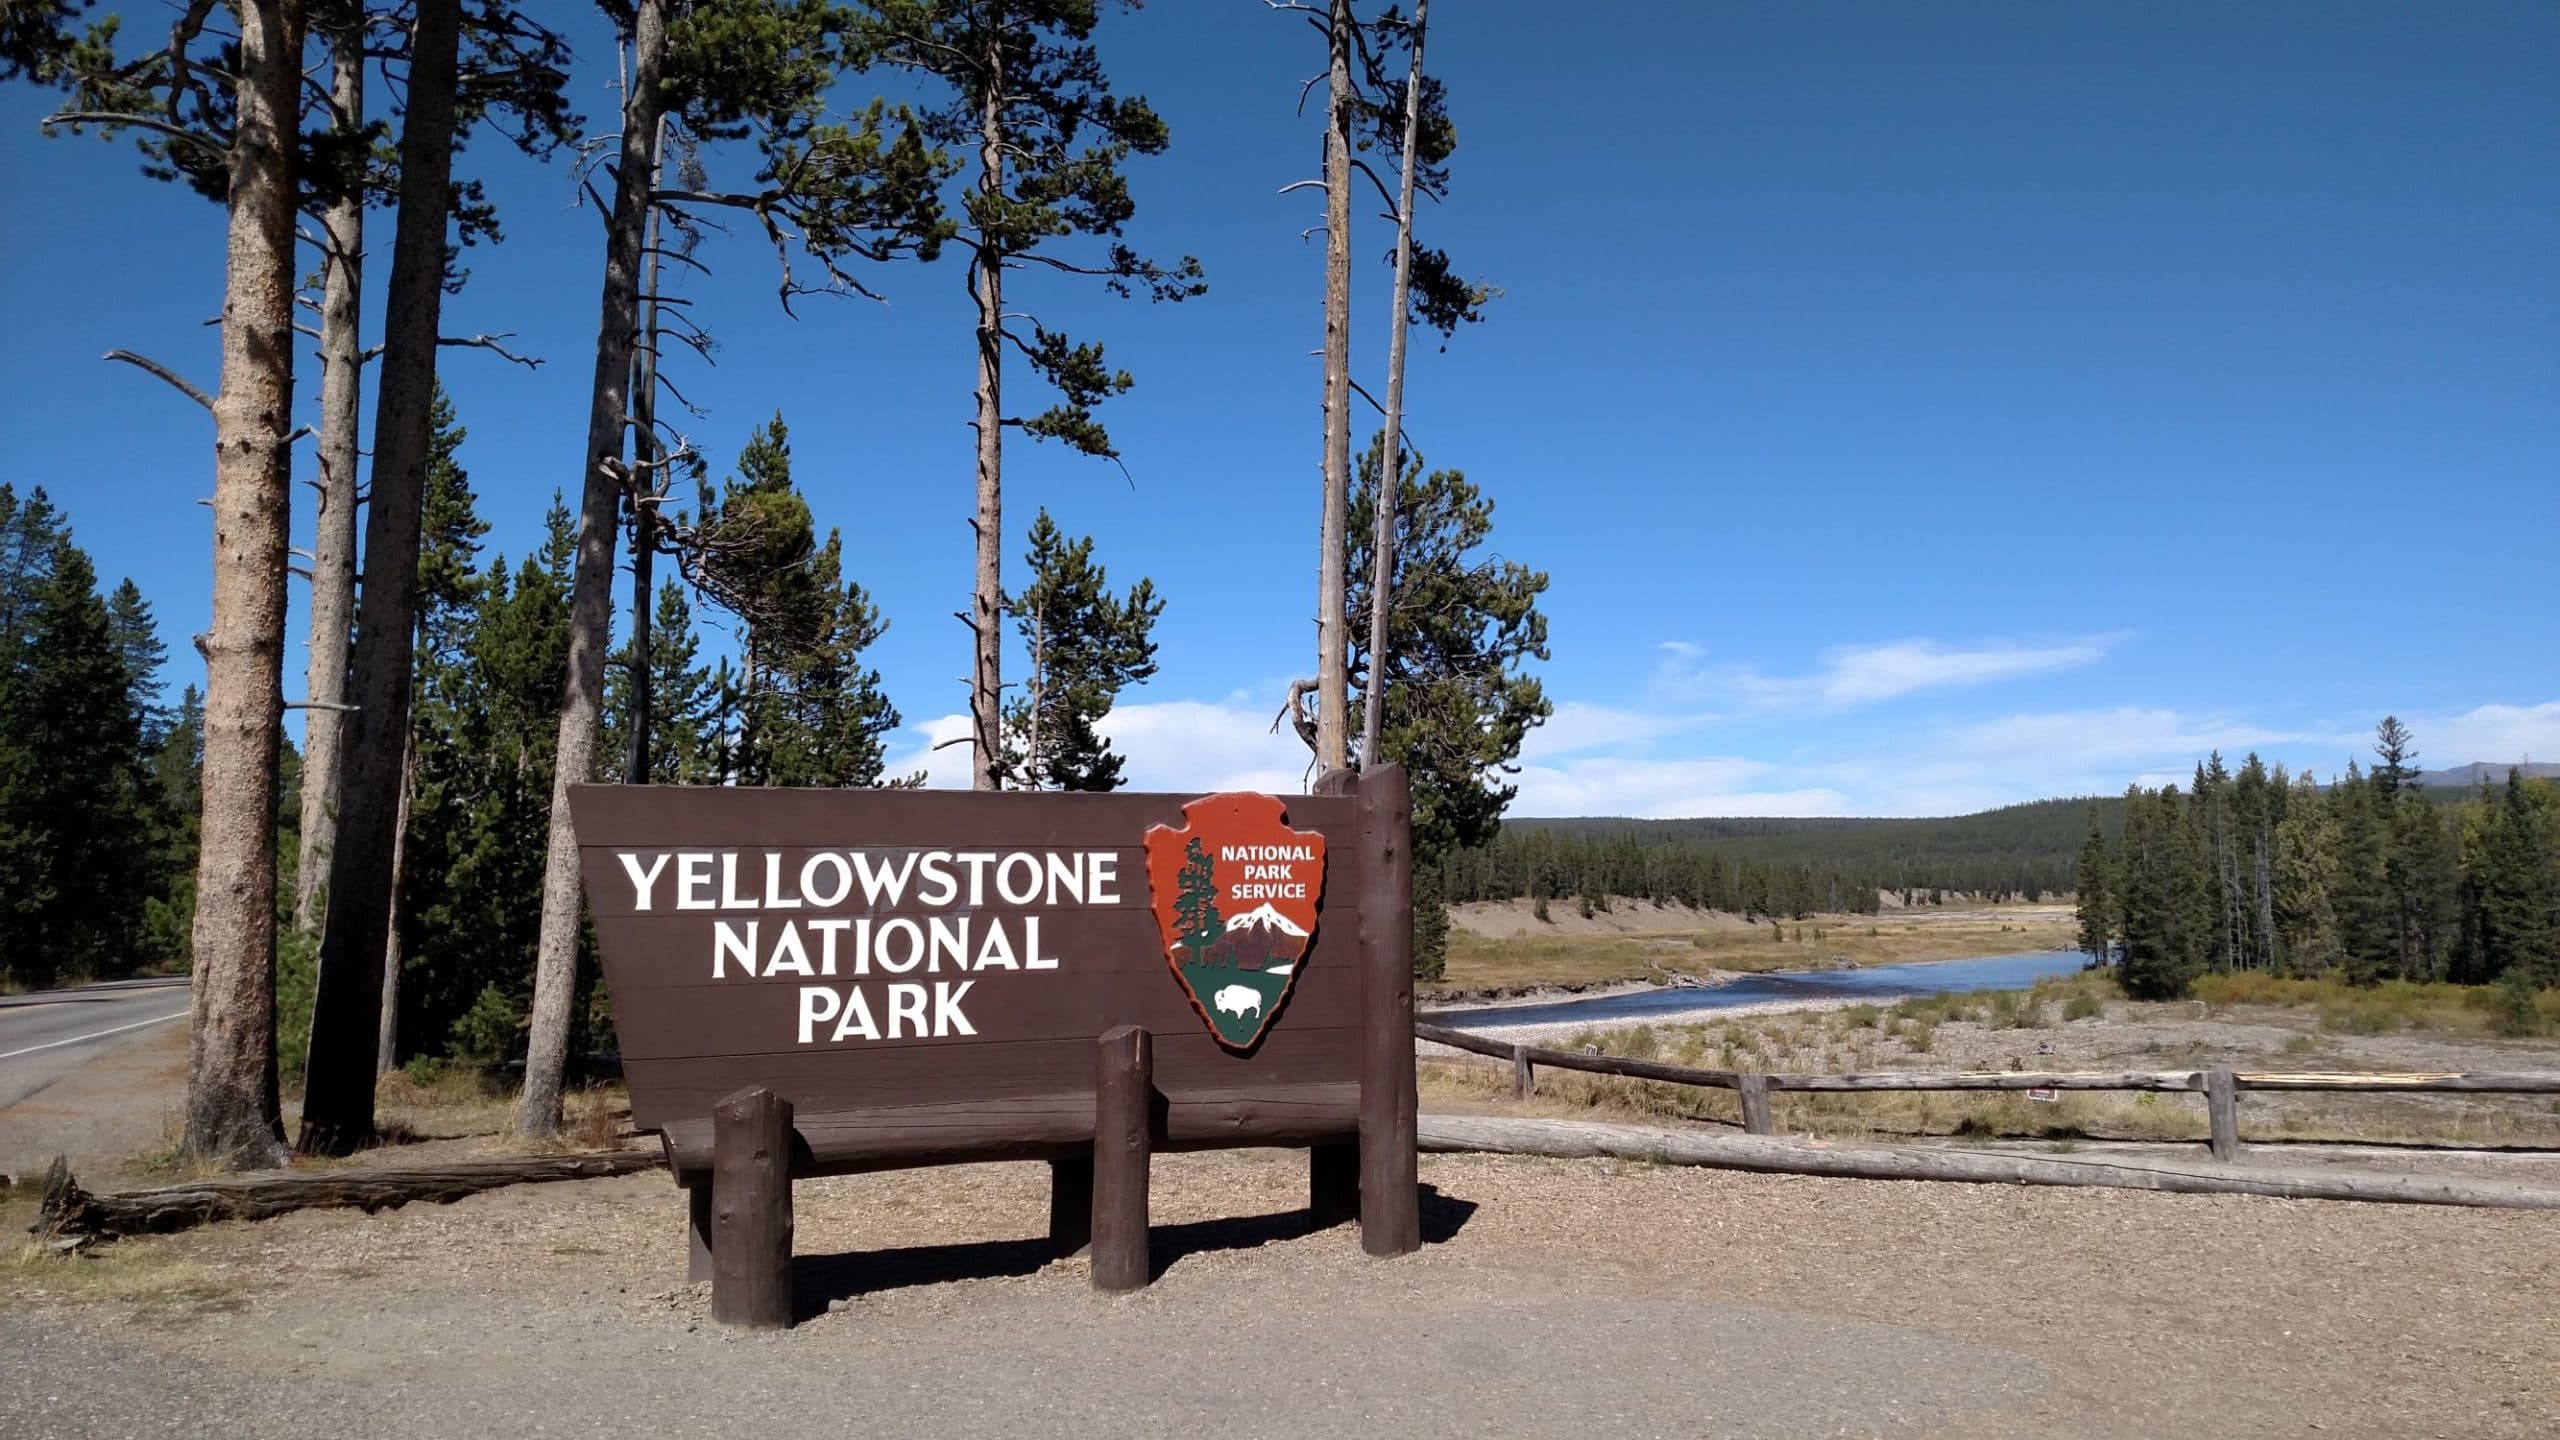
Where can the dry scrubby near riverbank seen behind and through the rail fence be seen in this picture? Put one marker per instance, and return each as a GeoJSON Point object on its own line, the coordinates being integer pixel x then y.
{"type": "Point", "coordinates": [2075, 1024]}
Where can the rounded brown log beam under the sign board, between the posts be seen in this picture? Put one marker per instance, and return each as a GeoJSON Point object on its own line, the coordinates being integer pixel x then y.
{"type": "Point", "coordinates": [1041, 1126]}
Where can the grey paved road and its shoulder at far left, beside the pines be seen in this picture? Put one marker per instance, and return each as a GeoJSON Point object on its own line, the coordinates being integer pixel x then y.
{"type": "Point", "coordinates": [86, 1070]}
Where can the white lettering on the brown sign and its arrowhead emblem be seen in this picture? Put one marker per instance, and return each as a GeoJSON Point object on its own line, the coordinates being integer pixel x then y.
{"type": "Point", "coordinates": [769, 924]}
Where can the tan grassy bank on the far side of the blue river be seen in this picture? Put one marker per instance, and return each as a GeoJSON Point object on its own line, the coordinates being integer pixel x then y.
{"type": "Point", "coordinates": [1504, 952]}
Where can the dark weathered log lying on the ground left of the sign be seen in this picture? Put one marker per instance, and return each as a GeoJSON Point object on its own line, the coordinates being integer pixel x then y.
{"type": "Point", "coordinates": [76, 1213]}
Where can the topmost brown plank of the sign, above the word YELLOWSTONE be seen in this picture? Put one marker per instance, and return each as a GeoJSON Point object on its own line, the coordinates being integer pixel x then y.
{"type": "Point", "coordinates": [923, 819]}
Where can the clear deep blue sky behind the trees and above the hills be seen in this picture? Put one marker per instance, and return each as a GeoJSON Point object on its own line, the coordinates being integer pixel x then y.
{"type": "Point", "coordinates": [1916, 409]}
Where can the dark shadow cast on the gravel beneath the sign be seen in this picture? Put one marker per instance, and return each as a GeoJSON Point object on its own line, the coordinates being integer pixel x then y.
{"type": "Point", "coordinates": [818, 1280]}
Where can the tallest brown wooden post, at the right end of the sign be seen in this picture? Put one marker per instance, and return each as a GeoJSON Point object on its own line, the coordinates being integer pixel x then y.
{"type": "Point", "coordinates": [1391, 1218]}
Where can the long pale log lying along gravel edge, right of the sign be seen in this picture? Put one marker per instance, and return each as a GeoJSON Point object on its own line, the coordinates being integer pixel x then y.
{"type": "Point", "coordinates": [1588, 1139]}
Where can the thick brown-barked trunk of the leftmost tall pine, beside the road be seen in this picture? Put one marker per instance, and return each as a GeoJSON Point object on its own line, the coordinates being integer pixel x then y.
{"type": "Point", "coordinates": [232, 1049]}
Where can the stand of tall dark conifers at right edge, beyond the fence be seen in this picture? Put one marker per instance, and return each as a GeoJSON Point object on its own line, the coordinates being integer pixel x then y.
{"type": "Point", "coordinates": [2367, 880]}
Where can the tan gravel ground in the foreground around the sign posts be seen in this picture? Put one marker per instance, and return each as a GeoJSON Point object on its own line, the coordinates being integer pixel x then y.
{"type": "Point", "coordinates": [1553, 1300]}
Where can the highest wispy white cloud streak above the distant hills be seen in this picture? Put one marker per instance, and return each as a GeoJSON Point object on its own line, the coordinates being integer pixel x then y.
{"type": "Point", "coordinates": [1850, 678]}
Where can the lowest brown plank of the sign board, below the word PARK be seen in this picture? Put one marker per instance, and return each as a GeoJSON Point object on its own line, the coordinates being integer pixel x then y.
{"type": "Point", "coordinates": [672, 1090]}
